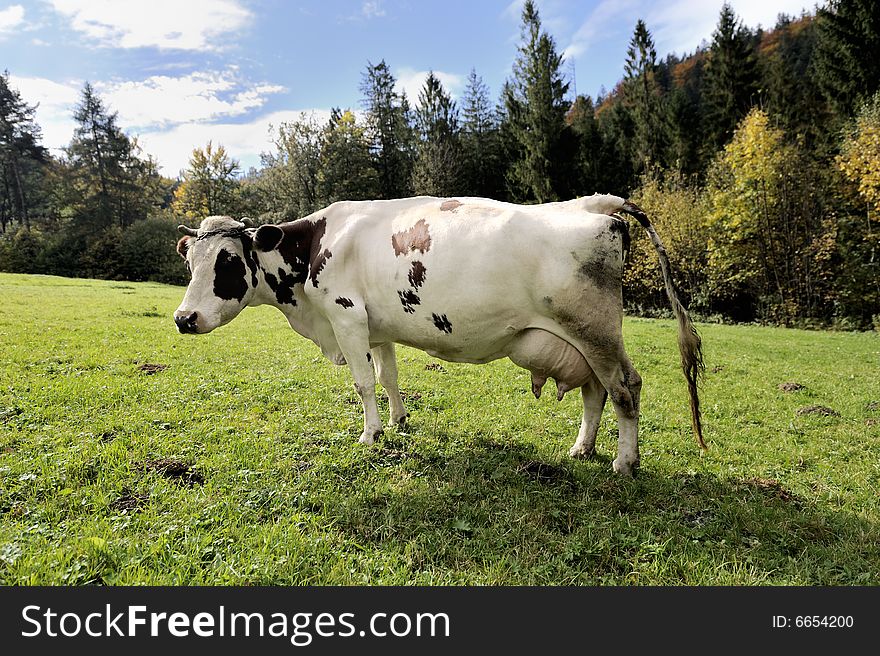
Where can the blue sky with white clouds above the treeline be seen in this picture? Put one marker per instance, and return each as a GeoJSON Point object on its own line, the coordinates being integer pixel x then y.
{"type": "Point", "coordinates": [182, 72]}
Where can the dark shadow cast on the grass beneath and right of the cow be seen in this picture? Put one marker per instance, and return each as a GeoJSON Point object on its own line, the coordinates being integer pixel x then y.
{"type": "Point", "coordinates": [501, 512]}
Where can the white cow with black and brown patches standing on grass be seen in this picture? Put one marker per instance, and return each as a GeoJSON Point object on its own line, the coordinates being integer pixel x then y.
{"type": "Point", "coordinates": [463, 279]}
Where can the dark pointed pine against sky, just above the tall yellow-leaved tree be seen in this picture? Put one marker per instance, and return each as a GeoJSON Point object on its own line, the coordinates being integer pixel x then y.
{"type": "Point", "coordinates": [731, 78]}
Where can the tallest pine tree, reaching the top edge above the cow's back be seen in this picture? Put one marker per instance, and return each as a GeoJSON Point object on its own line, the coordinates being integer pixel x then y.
{"type": "Point", "coordinates": [535, 108]}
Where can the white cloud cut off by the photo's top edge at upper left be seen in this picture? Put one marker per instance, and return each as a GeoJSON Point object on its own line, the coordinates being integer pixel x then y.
{"type": "Point", "coordinates": [164, 24]}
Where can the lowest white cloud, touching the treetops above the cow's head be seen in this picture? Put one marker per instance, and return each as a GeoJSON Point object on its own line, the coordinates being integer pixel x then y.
{"type": "Point", "coordinates": [243, 141]}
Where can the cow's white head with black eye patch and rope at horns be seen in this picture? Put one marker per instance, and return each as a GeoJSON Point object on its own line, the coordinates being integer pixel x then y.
{"type": "Point", "coordinates": [223, 269]}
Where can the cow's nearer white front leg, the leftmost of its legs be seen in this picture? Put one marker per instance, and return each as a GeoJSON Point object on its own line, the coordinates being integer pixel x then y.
{"type": "Point", "coordinates": [353, 338]}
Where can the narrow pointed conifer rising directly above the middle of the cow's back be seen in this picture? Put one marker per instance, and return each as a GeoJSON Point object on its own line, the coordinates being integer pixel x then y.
{"type": "Point", "coordinates": [437, 168]}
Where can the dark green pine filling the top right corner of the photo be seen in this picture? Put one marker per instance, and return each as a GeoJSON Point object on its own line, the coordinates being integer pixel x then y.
{"type": "Point", "coordinates": [847, 66]}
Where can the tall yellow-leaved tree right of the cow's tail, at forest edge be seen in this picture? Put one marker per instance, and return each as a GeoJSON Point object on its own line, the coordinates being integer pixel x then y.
{"type": "Point", "coordinates": [765, 227]}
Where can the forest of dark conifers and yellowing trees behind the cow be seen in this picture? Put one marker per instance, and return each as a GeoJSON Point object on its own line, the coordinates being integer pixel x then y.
{"type": "Point", "coordinates": [757, 157]}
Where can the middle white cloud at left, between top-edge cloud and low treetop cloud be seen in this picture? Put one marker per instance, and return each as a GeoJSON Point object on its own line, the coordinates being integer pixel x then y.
{"type": "Point", "coordinates": [162, 100]}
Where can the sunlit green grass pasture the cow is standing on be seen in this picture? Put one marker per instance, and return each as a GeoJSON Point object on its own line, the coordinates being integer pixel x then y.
{"type": "Point", "coordinates": [130, 454]}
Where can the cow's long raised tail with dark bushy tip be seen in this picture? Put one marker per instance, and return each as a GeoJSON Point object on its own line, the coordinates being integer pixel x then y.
{"type": "Point", "coordinates": [689, 342]}
